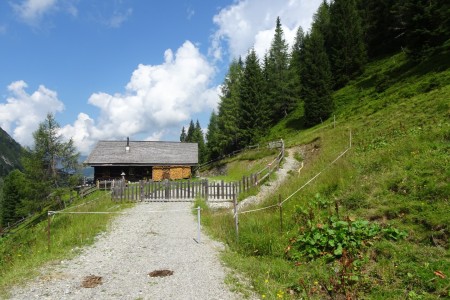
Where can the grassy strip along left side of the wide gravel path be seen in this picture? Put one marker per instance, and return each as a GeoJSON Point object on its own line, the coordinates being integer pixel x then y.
{"type": "Point", "coordinates": [25, 250]}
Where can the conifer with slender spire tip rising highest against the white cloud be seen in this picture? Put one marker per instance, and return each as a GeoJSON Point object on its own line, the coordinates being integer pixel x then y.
{"type": "Point", "coordinates": [279, 96]}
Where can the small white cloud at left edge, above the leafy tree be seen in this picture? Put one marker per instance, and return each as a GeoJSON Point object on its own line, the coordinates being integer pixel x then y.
{"type": "Point", "coordinates": [22, 112]}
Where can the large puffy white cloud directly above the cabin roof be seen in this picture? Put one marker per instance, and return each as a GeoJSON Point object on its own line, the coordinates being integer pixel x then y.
{"type": "Point", "coordinates": [156, 99]}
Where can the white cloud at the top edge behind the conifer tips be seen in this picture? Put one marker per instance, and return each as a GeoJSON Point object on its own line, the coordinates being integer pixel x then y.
{"type": "Point", "coordinates": [251, 23]}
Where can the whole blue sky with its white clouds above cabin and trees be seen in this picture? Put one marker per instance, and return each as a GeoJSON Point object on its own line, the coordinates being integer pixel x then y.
{"type": "Point", "coordinates": [109, 69]}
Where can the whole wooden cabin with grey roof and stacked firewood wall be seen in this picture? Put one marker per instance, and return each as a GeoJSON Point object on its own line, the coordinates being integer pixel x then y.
{"type": "Point", "coordinates": [143, 160]}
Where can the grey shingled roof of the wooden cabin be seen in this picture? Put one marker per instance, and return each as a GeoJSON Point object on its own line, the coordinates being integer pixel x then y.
{"type": "Point", "coordinates": [143, 153]}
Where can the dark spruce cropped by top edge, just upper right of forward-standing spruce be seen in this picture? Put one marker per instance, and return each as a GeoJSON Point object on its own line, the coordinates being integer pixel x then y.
{"type": "Point", "coordinates": [347, 48]}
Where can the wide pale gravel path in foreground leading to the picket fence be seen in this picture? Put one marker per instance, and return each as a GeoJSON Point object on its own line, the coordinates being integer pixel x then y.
{"type": "Point", "coordinates": [138, 243]}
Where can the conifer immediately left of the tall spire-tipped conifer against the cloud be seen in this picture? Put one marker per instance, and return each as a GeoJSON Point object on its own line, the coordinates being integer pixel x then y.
{"type": "Point", "coordinates": [253, 116]}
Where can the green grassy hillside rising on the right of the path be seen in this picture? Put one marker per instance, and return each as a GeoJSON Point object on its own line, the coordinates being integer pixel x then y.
{"type": "Point", "coordinates": [375, 224]}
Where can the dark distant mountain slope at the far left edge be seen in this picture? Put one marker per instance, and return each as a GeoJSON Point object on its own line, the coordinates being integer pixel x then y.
{"type": "Point", "coordinates": [10, 154]}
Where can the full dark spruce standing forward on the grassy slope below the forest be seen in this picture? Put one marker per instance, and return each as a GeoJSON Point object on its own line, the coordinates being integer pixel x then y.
{"type": "Point", "coordinates": [316, 80]}
